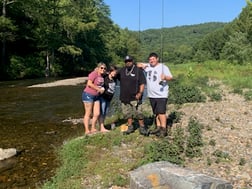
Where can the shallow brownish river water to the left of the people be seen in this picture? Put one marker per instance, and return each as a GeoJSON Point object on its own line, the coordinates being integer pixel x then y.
{"type": "Point", "coordinates": [31, 120]}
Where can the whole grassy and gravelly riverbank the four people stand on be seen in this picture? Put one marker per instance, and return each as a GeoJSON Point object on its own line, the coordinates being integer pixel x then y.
{"type": "Point", "coordinates": [104, 160]}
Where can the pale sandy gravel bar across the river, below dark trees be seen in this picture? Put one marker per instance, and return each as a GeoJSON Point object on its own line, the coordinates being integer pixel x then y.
{"type": "Point", "coordinates": [64, 82]}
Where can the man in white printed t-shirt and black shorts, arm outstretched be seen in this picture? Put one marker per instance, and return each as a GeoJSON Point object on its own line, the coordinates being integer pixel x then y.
{"type": "Point", "coordinates": [157, 77]}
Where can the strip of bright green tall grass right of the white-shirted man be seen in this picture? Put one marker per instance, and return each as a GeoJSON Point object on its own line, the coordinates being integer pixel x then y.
{"type": "Point", "coordinates": [233, 75]}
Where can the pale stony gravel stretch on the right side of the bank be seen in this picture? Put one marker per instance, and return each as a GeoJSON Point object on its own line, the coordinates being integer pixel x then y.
{"type": "Point", "coordinates": [228, 124]}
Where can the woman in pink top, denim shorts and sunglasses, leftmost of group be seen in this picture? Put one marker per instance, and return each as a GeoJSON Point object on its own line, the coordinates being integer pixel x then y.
{"type": "Point", "coordinates": [91, 97]}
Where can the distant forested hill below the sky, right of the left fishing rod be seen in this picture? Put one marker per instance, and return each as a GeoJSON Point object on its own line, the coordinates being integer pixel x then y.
{"type": "Point", "coordinates": [177, 39]}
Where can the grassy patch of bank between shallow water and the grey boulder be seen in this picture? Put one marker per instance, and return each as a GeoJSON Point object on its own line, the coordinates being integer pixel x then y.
{"type": "Point", "coordinates": [100, 159]}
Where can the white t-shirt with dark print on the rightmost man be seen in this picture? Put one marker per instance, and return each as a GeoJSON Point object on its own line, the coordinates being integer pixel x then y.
{"type": "Point", "coordinates": [153, 78]}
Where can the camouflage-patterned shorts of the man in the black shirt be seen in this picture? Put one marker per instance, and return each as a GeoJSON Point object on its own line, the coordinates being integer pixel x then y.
{"type": "Point", "coordinates": [132, 110]}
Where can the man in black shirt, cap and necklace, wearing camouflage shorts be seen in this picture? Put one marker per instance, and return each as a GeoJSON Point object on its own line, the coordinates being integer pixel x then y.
{"type": "Point", "coordinates": [132, 82]}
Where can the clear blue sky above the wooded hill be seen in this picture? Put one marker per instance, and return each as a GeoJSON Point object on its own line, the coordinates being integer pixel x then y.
{"type": "Point", "coordinates": [154, 14]}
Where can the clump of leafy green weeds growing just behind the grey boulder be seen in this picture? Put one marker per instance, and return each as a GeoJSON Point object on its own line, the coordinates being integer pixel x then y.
{"type": "Point", "coordinates": [176, 149]}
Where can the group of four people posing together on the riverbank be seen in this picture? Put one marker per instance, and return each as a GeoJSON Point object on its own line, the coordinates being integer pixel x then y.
{"type": "Point", "coordinates": [133, 78]}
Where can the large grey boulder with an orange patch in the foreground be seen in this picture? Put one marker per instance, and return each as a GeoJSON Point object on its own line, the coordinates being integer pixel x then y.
{"type": "Point", "coordinates": [166, 175]}
